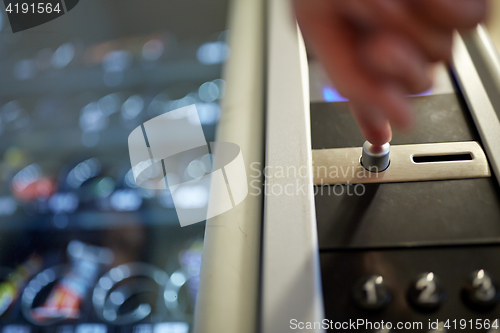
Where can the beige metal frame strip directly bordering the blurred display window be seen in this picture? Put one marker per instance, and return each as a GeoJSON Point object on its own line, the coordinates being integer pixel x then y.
{"type": "Point", "coordinates": [227, 300]}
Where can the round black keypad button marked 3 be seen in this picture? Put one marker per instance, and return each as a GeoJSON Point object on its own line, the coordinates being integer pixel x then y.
{"type": "Point", "coordinates": [480, 292]}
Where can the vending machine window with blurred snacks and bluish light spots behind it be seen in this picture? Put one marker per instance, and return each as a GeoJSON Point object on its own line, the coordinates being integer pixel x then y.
{"type": "Point", "coordinates": [83, 248]}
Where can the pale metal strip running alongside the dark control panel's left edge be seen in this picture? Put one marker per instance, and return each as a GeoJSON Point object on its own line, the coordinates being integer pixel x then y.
{"type": "Point", "coordinates": [291, 283]}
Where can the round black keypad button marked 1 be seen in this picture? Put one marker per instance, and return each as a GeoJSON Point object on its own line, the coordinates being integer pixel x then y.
{"type": "Point", "coordinates": [371, 293]}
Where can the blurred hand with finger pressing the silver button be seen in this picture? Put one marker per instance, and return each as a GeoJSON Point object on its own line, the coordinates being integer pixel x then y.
{"type": "Point", "coordinates": [378, 51]}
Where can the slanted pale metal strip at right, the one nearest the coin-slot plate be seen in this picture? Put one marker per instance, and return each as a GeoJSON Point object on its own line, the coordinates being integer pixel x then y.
{"type": "Point", "coordinates": [478, 101]}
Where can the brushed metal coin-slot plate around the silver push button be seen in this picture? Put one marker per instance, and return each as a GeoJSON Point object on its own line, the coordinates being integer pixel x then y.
{"type": "Point", "coordinates": [342, 165]}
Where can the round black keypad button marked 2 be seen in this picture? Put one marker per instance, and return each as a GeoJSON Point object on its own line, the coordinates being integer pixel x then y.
{"type": "Point", "coordinates": [426, 293]}
